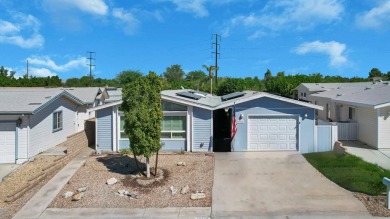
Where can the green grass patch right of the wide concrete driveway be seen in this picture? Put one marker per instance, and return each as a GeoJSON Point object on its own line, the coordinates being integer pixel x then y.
{"type": "Point", "coordinates": [350, 172]}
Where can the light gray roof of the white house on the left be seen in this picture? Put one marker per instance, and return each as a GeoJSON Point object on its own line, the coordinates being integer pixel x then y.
{"type": "Point", "coordinates": [30, 101]}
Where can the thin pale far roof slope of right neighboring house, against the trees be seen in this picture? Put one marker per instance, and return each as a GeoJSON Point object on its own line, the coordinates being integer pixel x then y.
{"type": "Point", "coordinates": [316, 87]}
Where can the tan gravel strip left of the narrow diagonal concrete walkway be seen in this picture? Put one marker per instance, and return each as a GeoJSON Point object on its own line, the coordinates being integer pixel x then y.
{"type": "Point", "coordinates": [18, 179]}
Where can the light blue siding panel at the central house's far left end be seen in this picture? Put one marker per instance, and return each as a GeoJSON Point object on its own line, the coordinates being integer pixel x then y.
{"type": "Point", "coordinates": [104, 129]}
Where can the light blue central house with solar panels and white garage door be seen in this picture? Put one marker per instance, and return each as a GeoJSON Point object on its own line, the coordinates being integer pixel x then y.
{"type": "Point", "coordinates": [197, 121]}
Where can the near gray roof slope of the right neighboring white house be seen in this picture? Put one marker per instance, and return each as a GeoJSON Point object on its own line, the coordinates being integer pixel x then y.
{"type": "Point", "coordinates": [375, 95]}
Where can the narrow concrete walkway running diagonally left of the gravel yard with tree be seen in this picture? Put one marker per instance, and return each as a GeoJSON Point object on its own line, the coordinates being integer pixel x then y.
{"type": "Point", "coordinates": [42, 199]}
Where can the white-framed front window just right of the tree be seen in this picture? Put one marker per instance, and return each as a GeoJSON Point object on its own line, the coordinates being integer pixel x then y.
{"type": "Point", "coordinates": [173, 127]}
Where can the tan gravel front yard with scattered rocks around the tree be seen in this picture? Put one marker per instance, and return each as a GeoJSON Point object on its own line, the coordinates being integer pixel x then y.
{"type": "Point", "coordinates": [197, 174]}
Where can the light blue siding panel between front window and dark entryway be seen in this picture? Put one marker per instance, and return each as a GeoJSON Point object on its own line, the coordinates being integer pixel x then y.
{"type": "Point", "coordinates": [201, 130]}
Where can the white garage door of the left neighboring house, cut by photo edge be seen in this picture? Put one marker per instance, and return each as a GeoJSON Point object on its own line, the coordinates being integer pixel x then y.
{"type": "Point", "coordinates": [7, 142]}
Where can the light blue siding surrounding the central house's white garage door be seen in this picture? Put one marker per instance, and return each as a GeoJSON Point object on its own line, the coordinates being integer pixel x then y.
{"type": "Point", "coordinates": [265, 107]}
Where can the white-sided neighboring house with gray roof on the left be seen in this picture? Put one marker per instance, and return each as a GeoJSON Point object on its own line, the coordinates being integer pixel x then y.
{"type": "Point", "coordinates": [35, 119]}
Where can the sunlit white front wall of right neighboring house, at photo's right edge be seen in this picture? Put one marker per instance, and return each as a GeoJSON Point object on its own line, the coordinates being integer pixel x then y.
{"type": "Point", "coordinates": [384, 128]}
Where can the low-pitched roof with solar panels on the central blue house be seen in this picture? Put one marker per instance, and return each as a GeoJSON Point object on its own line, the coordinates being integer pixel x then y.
{"type": "Point", "coordinates": [211, 102]}
